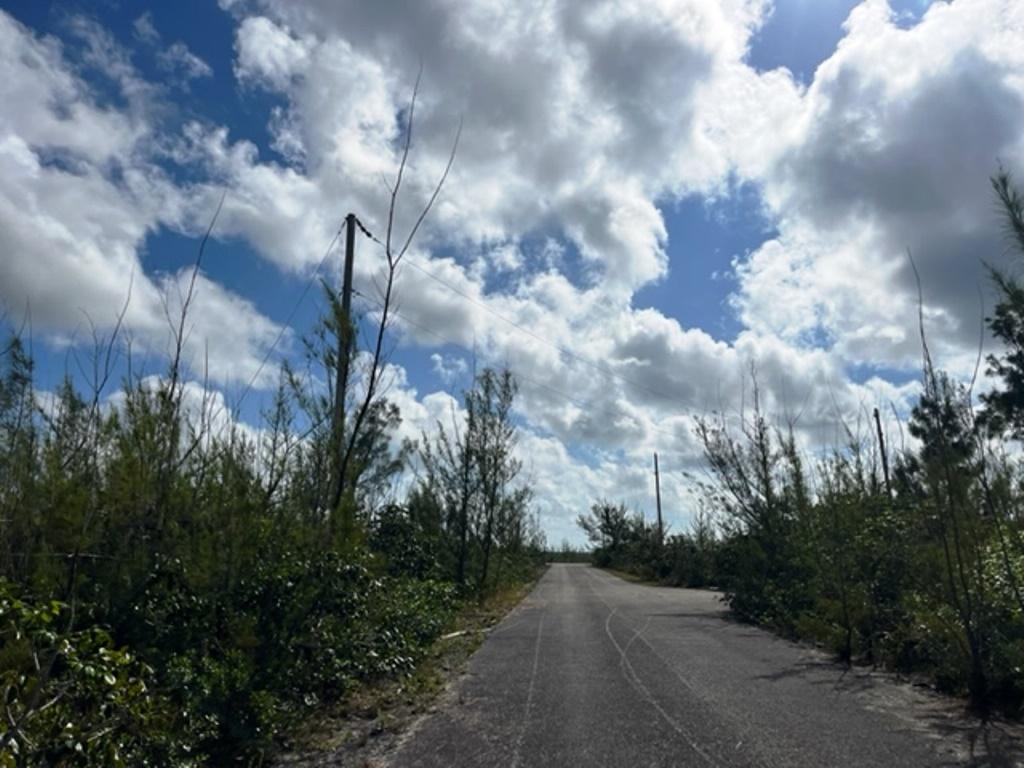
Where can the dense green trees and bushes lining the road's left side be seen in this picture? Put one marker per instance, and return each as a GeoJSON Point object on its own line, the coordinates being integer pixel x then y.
{"type": "Point", "coordinates": [179, 589]}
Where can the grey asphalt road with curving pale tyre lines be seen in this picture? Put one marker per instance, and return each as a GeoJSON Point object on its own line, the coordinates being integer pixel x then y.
{"type": "Point", "coordinates": [593, 671]}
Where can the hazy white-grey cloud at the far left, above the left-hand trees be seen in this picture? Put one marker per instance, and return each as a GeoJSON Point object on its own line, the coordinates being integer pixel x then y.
{"type": "Point", "coordinates": [80, 193]}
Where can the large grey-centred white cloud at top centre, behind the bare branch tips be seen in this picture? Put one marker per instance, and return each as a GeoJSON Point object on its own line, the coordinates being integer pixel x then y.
{"type": "Point", "coordinates": [595, 122]}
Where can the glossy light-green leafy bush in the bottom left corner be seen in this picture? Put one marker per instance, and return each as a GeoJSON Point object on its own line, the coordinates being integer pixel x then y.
{"type": "Point", "coordinates": [73, 699]}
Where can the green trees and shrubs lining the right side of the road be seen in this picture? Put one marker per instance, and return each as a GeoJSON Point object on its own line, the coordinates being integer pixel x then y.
{"type": "Point", "coordinates": [911, 559]}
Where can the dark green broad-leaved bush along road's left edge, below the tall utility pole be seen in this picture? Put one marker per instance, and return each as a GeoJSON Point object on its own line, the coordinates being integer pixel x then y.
{"type": "Point", "coordinates": [304, 630]}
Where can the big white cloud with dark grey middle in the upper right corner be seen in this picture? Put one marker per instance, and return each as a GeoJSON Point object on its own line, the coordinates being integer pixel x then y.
{"type": "Point", "coordinates": [898, 137]}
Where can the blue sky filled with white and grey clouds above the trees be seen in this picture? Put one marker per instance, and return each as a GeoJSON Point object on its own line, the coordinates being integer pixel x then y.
{"type": "Point", "coordinates": [651, 200]}
